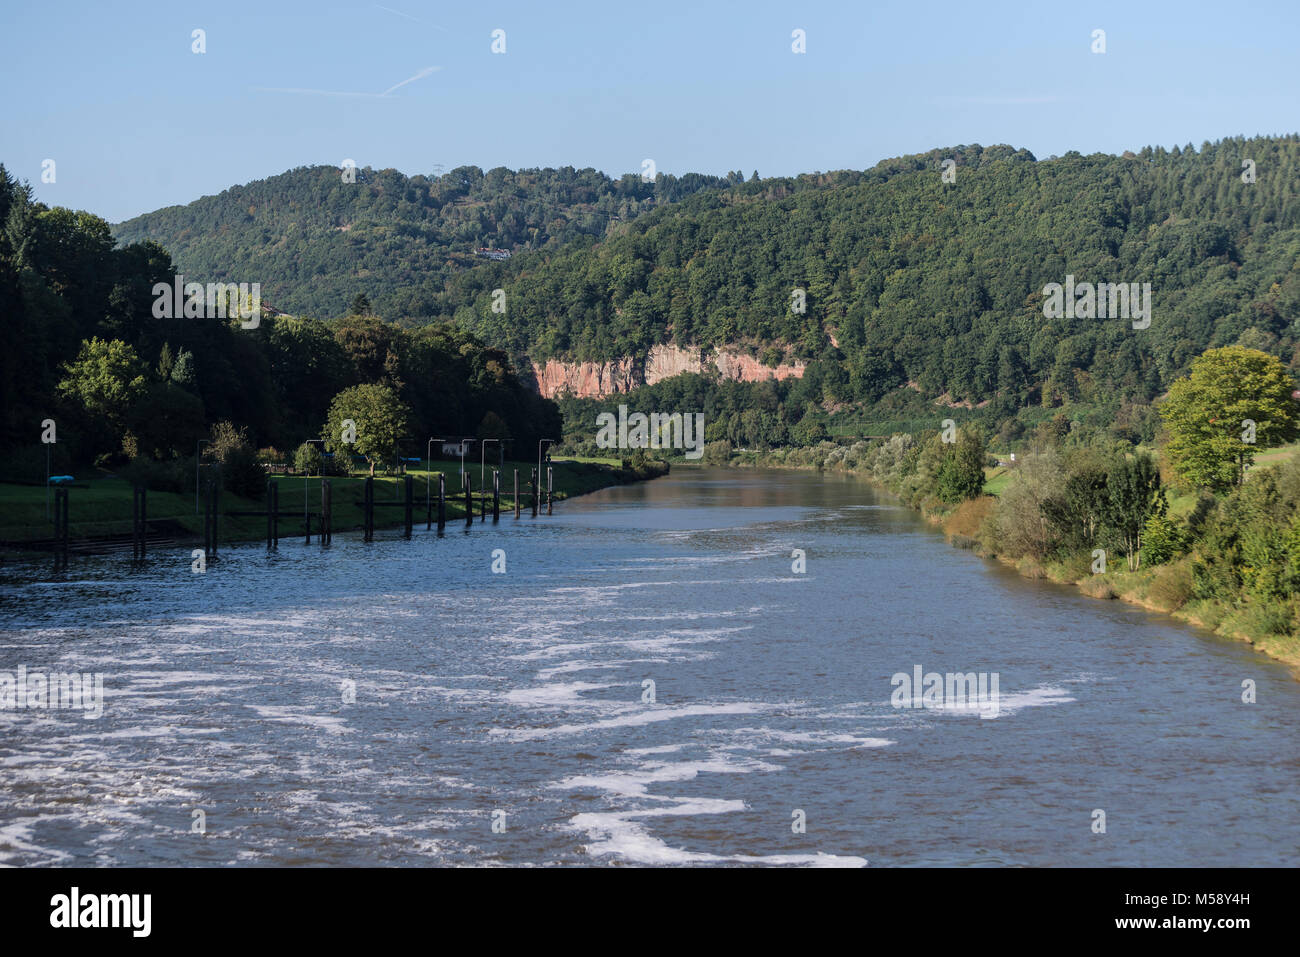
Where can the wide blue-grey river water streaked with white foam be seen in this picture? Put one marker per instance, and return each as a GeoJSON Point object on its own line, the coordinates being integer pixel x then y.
{"type": "Point", "coordinates": [505, 718]}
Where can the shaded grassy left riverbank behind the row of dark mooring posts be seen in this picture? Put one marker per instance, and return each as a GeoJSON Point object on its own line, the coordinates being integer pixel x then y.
{"type": "Point", "coordinates": [101, 509]}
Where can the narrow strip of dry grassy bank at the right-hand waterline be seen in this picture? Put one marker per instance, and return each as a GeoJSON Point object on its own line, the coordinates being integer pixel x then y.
{"type": "Point", "coordinates": [1167, 588]}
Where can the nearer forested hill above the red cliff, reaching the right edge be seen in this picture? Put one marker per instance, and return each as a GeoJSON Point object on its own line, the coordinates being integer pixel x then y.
{"type": "Point", "coordinates": [939, 284]}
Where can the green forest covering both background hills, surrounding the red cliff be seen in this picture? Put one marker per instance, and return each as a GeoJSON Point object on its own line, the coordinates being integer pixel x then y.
{"type": "Point", "coordinates": [916, 289]}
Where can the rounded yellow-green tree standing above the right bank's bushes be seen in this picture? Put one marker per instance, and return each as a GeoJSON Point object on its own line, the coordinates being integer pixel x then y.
{"type": "Point", "coordinates": [1234, 402]}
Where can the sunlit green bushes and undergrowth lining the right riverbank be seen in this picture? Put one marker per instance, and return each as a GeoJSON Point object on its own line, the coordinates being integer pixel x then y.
{"type": "Point", "coordinates": [1111, 518]}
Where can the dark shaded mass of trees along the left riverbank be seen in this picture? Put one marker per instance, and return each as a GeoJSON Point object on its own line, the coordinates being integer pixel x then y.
{"type": "Point", "coordinates": [88, 353]}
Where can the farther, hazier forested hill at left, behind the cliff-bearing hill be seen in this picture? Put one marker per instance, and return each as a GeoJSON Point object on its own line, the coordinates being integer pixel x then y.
{"type": "Point", "coordinates": [315, 241]}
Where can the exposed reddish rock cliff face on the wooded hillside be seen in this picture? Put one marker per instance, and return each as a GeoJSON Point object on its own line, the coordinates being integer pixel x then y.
{"type": "Point", "coordinates": [597, 380]}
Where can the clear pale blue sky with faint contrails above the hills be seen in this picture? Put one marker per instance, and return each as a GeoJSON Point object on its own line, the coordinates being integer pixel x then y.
{"type": "Point", "coordinates": [135, 120]}
